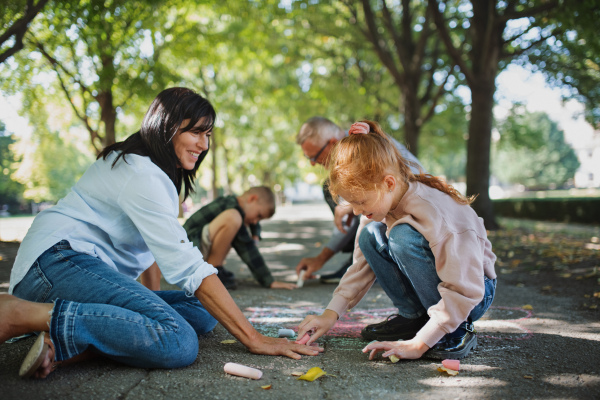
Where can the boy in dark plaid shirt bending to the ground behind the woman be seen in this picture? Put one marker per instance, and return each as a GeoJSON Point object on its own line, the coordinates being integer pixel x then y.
{"type": "Point", "coordinates": [224, 223]}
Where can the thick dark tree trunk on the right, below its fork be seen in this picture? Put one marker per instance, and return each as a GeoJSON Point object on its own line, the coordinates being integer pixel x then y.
{"type": "Point", "coordinates": [478, 149]}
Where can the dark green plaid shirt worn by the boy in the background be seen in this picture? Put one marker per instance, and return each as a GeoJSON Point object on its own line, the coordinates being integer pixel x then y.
{"type": "Point", "coordinates": [243, 243]}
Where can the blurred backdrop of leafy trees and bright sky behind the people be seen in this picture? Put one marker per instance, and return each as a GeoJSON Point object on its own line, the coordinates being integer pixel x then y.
{"type": "Point", "coordinates": [499, 97]}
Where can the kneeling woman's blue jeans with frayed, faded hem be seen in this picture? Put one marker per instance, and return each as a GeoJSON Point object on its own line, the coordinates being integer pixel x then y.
{"type": "Point", "coordinates": [99, 309]}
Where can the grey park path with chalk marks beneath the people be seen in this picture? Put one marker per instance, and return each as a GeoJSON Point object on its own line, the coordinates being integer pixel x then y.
{"type": "Point", "coordinates": [548, 351]}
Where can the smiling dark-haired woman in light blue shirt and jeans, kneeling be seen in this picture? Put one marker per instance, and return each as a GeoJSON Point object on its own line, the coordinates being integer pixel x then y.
{"type": "Point", "coordinates": [74, 276]}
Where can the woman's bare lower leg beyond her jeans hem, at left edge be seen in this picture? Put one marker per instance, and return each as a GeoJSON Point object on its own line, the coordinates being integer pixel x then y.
{"type": "Point", "coordinates": [21, 316]}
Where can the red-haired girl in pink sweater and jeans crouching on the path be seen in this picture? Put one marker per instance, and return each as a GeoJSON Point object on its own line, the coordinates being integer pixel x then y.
{"type": "Point", "coordinates": [427, 248]}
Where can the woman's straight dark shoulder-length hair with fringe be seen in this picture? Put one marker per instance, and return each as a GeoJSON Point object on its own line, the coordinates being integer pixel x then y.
{"type": "Point", "coordinates": [163, 121]}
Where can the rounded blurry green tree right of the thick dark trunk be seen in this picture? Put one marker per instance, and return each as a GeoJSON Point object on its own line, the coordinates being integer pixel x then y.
{"type": "Point", "coordinates": [532, 152]}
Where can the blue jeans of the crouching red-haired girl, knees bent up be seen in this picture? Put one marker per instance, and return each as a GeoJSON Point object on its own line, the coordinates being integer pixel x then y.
{"type": "Point", "coordinates": [405, 269]}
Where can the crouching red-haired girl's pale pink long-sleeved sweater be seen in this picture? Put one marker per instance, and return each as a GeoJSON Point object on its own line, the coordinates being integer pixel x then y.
{"type": "Point", "coordinates": [463, 255]}
